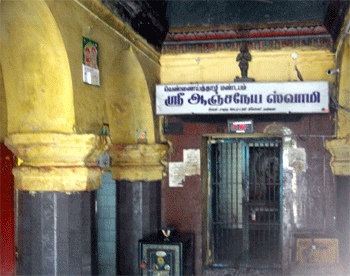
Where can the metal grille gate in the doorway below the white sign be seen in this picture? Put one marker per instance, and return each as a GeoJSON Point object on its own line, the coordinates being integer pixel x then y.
{"type": "Point", "coordinates": [245, 195]}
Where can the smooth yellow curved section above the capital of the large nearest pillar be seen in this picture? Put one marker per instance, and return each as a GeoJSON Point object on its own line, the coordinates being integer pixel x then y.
{"type": "Point", "coordinates": [35, 70]}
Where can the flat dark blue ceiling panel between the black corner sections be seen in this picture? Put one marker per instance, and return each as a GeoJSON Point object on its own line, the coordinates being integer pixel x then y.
{"type": "Point", "coordinates": [197, 13]}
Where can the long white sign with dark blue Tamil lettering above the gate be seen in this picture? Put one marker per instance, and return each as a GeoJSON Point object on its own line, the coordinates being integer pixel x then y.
{"type": "Point", "coordinates": [243, 98]}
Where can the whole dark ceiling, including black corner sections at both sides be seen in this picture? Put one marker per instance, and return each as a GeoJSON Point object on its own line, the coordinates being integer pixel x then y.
{"type": "Point", "coordinates": [154, 19]}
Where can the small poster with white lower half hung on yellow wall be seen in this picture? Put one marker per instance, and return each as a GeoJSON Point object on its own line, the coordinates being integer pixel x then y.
{"type": "Point", "coordinates": [91, 73]}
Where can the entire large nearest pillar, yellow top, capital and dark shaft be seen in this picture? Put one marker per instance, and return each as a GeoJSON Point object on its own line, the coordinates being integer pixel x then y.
{"type": "Point", "coordinates": [55, 206]}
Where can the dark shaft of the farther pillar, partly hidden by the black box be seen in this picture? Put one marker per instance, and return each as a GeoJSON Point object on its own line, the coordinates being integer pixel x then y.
{"type": "Point", "coordinates": [138, 215]}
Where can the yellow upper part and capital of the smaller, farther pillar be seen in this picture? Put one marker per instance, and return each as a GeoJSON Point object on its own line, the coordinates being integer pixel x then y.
{"type": "Point", "coordinates": [134, 152]}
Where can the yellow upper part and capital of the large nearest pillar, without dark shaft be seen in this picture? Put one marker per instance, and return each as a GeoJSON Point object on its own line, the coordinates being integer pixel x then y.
{"type": "Point", "coordinates": [39, 98]}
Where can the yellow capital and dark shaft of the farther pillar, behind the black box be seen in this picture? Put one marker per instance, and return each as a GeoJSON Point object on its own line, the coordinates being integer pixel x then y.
{"type": "Point", "coordinates": [138, 170]}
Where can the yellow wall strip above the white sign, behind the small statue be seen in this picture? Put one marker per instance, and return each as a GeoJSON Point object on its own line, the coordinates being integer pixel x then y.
{"type": "Point", "coordinates": [272, 66]}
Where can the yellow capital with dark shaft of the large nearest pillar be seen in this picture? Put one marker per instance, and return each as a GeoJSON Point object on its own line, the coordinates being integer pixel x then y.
{"type": "Point", "coordinates": [56, 185]}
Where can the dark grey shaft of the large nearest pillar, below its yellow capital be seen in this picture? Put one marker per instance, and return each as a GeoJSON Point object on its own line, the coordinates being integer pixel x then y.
{"type": "Point", "coordinates": [56, 233]}
